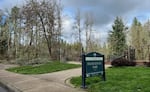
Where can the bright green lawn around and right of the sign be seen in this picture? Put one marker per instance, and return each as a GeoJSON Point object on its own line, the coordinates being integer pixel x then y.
{"type": "Point", "coordinates": [121, 79]}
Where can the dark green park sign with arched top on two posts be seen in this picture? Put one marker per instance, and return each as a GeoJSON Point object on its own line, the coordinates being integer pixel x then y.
{"type": "Point", "coordinates": [92, 65]}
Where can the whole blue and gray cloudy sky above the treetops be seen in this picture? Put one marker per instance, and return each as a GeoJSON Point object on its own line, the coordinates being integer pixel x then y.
{"type": "Point", "coordinates": [104, 12]}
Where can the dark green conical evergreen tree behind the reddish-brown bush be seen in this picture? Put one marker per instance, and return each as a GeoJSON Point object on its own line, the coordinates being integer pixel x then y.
{"type": "Point", "coordinates": [117, 37]}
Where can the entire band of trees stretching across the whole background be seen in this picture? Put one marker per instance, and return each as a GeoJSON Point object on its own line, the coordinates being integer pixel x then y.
{"type": "Point", "coordinates": [29, 32]}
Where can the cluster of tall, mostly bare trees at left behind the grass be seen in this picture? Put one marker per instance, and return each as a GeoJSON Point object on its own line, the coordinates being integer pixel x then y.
{"type": "Point", "coordinates": [31, 30]}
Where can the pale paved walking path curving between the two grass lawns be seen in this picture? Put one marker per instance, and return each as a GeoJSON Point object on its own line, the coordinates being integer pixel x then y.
{"type": "Point", "coordinates": [51, 82]}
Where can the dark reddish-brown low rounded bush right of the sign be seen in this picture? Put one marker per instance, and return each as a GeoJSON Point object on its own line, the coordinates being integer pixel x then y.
{"type": "Point", "coordinates": [122, 62]}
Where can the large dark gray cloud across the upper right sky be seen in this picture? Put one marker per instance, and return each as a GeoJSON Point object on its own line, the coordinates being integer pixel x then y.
{"type": "Point", "coordinates": [105, 11]}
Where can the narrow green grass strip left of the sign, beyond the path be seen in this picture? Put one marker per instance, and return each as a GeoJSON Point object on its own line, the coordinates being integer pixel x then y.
{"type": "Point", "coordinates": [44, 68]}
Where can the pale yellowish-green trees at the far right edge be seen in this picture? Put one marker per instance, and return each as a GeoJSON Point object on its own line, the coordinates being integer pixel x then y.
{"type": "Point", "coordinates": [140, 38]}
